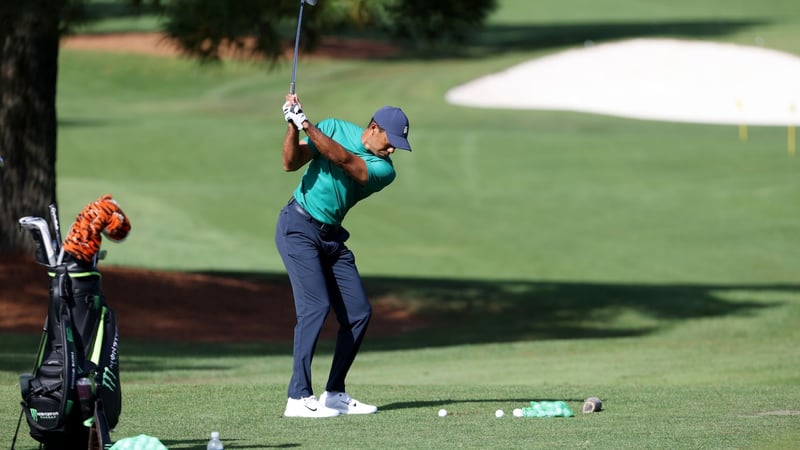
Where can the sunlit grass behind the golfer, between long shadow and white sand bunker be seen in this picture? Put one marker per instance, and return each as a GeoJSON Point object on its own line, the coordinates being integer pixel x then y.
{"type": "Point", "coordinates": [551, 195]}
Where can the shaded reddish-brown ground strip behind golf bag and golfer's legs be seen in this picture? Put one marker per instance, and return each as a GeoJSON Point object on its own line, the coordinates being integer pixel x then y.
{"type": "Point", "coordinates": [179, 306]}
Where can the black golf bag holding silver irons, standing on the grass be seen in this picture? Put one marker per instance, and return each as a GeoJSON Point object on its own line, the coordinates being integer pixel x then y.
{"type": "Point", "coordinates": [72, 397]}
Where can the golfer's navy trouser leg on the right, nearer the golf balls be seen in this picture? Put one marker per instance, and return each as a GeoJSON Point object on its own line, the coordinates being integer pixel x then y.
{"type": "Point", "coordinates": [353, 311]}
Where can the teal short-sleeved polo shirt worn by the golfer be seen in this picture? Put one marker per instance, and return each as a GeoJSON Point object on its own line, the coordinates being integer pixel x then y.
{"type": "Point", "coordinates": [326, 191]}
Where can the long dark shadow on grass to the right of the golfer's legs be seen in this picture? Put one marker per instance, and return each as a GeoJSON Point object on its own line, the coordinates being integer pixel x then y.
{"type": "Point", "coordinates": [444, 312]}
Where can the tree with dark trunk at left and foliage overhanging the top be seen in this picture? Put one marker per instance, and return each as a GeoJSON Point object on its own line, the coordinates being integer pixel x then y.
{"type": "Point", "coordinates": [29, 43]}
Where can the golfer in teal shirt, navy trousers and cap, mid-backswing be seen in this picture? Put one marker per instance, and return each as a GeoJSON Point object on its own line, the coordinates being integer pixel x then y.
{"type": "Point", "coordinates": [346, 163]}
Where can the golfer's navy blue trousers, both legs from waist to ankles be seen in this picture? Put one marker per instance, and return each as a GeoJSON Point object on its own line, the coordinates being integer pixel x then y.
{"type": "Point", "coordinates": [324, 276]}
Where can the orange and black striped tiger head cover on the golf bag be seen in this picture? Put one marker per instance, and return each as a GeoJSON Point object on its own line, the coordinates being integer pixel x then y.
{"type": "Point", "coordinates": [101, 217]}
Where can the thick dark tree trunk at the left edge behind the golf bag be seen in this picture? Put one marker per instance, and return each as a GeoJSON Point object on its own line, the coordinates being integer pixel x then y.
{"type": "Point", "coordinates": [29, 40]}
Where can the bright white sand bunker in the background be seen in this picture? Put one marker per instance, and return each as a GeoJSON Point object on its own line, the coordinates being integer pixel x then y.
{"type": "Point", "coordinates": [657, 79]}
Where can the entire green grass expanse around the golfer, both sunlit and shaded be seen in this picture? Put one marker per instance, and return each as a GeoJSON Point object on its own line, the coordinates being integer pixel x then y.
{"type": "Point", "coordinates": [559, 255]}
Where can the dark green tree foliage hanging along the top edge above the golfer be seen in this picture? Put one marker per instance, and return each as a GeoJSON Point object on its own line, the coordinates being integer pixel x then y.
{"type": "Point", "coordinates": [207, 28]}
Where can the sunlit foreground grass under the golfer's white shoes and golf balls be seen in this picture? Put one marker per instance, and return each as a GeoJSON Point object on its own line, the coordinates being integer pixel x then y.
{"type": "Point", "coordinates": [707, 383]}
